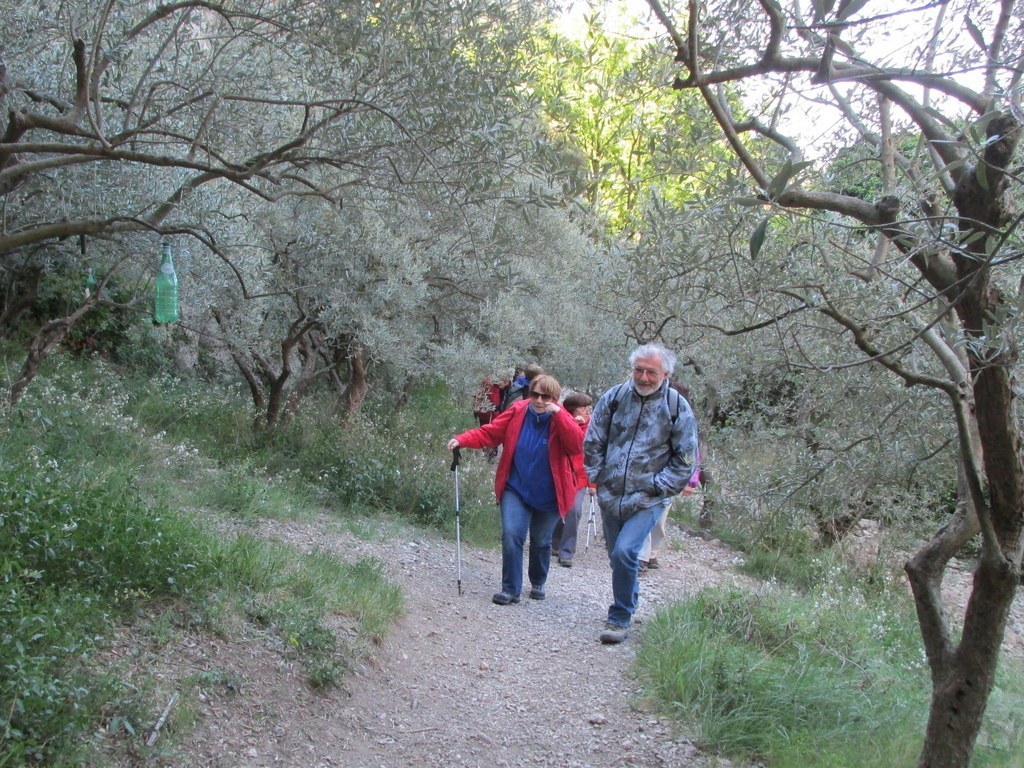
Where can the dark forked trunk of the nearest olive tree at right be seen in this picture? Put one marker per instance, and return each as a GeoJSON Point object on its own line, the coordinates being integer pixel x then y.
{"type": "Point", "coordinates": [963, 675]}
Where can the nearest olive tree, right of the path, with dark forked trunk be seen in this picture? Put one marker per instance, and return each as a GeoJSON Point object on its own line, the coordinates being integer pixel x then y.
{"type": "Point", "coordinates": [935, 301]}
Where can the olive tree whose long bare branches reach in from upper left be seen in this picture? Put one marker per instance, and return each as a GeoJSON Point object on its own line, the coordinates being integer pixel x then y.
{"type": "Point", "coordinates": [118, 113]}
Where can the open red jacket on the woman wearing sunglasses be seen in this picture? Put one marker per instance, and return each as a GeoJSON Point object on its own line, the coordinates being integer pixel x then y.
{"type": "Point", "coordinates": [565, 442]}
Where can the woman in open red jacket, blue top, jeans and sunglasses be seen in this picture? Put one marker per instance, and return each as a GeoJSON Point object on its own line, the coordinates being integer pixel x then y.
{"type": "Point", "coordinates": [535, 483]}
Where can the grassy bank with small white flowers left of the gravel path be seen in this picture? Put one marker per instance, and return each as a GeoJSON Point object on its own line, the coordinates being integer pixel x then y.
{"type": "Point", "coordinates": [92, 542]}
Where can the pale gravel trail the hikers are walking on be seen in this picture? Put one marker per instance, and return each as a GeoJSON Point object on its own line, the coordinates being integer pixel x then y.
{"type": "Point", "coordinates": [460, 682]}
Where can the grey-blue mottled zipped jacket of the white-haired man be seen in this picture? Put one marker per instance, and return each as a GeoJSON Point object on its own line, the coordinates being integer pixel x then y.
{"type": "Point", "coordinates": [639, 451]}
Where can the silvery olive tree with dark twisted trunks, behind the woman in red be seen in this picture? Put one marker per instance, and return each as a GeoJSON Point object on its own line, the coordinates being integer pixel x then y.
{"type": "Point", "coordinates": [423, 262]}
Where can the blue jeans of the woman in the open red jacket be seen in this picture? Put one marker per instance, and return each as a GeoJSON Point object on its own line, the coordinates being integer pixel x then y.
{"type": "Point", "coordinates": [518, 521]}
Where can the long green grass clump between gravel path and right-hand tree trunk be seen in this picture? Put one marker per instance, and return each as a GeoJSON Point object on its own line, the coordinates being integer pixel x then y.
{"type": "Point", "coordinates": [784, 678]}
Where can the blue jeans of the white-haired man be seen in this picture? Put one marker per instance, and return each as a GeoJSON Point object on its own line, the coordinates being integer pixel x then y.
{"type": "Point", "coordinates": [624, 540]}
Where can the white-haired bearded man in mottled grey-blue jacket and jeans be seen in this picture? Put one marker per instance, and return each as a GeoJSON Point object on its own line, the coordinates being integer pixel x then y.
{"type": "Point", "coordinates": [639, 452]}
